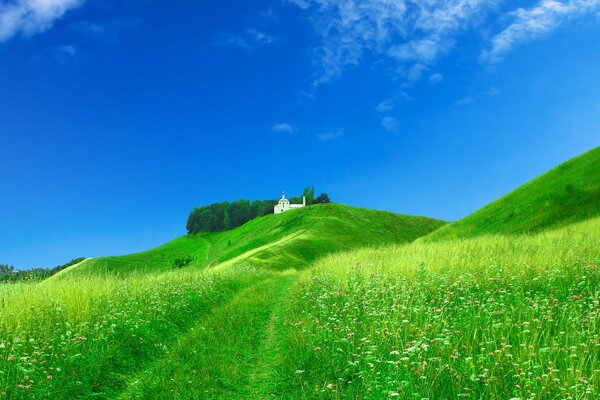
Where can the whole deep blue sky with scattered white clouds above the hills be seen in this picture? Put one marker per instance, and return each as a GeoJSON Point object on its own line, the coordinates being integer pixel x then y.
{"type": "Point", "coordinates": [117, 118]}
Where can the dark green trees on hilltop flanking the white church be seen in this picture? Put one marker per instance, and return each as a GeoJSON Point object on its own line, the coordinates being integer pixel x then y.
{"type": "Point", "coordinates": [225, 215]}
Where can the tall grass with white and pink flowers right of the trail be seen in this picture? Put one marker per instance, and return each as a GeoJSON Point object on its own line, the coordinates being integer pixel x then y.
{"type": "Point", "coordinates": [492, 317]}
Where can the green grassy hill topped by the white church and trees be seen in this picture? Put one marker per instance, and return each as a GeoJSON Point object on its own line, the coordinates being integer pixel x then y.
{"type": "Point", "coordinates": [289, 240]}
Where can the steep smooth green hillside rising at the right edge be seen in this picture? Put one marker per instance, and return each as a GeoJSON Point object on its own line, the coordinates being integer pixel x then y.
{"type": "Point", "coordinates": [566, 194]}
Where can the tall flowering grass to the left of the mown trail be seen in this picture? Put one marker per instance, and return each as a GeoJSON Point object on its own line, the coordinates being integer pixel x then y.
{"type": "Point", "coordinates": [83, 337]}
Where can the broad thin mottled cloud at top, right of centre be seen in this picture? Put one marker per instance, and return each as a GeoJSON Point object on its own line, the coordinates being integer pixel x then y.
{"type": "Point", "coordinates": [413, 34]}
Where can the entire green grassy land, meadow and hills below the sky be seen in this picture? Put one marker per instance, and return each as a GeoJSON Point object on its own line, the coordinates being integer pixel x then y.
{"type": "Point", "coordinates": [330, 302]}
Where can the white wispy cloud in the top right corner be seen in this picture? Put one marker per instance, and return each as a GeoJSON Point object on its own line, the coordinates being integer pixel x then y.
{"type": "Point", "coordinates": [535, 22]}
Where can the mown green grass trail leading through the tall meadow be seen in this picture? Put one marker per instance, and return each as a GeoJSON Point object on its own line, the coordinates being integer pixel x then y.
{"type": "Point", "coordinates": [231, 353]}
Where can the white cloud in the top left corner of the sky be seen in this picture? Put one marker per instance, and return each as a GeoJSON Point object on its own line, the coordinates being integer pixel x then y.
{"type": "Point", "coordinates": [29, 17]}
